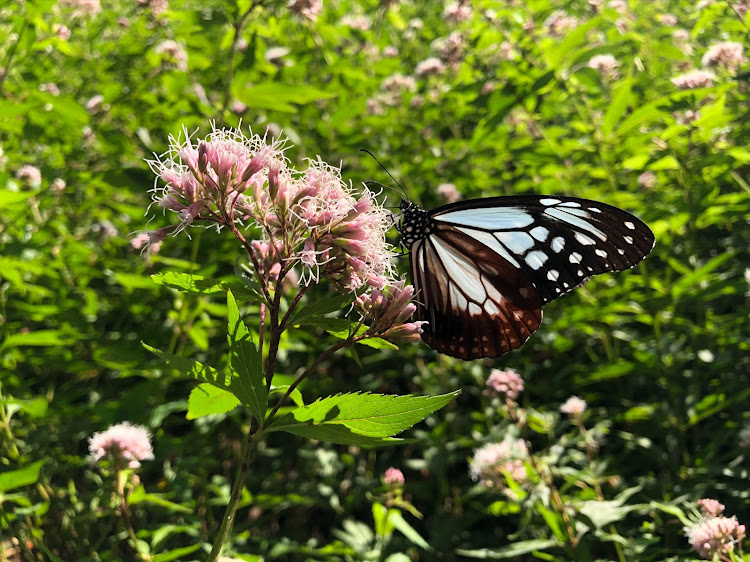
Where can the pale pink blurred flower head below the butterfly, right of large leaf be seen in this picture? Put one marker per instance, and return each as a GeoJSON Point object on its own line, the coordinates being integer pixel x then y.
{"type": "Point", "coordinates": [494, 461]}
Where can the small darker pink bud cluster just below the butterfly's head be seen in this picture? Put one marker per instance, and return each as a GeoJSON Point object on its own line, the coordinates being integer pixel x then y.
{"type": "Point", "coordinates": [387, 310]}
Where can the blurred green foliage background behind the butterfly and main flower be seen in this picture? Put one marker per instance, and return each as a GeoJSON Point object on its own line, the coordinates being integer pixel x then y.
{"type": "Point", "coordinates": [495, 97]}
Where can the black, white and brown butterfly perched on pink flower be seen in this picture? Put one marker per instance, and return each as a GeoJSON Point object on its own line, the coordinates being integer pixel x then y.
{"type": "Point", "coordinates": [483, 268]}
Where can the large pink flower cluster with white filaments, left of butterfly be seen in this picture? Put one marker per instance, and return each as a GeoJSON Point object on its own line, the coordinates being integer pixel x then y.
{"type": "Point", "coordinates": [311, 219]}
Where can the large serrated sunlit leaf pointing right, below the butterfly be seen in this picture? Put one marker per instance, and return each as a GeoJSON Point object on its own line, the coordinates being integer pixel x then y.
{"type": "Point", "coordinates": [344, 417]}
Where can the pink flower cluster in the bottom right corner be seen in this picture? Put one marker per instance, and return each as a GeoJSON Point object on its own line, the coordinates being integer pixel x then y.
{"type": "Point", "coordinates": [714, 534]}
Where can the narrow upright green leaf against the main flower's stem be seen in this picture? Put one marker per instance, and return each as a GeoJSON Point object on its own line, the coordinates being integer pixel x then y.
{"type": "Point", "coordinates": [246, 362]}
